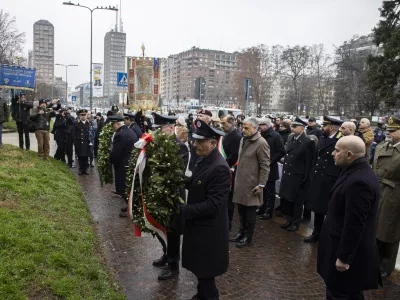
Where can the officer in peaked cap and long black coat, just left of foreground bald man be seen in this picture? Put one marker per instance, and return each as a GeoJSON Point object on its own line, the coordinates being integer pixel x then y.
{"type": "Point", "coordinates": [323, 176]}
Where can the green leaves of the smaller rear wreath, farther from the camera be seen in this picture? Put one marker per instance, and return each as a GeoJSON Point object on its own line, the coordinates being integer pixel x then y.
{"type": "Point", "coordinates": [103, 163]}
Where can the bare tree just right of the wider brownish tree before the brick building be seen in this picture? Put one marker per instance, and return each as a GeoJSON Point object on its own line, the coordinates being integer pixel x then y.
{"type": "Point", "coordinates": [295, 65]}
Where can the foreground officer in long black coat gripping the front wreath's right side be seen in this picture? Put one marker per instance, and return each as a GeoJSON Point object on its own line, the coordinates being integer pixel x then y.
{"type": "Point", "coordinates": [205, 250]}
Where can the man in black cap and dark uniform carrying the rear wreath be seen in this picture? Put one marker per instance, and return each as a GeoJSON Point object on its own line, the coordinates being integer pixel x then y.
{"type": "Point", "coordinates": [122, 145]}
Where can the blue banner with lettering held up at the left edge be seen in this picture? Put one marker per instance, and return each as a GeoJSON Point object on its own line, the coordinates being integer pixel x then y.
{"type": "Point", "coordinates": [17, 77]}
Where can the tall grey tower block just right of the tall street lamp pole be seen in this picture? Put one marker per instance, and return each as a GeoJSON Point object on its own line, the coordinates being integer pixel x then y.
{"type": "Point", "coordinates": [114, 62]}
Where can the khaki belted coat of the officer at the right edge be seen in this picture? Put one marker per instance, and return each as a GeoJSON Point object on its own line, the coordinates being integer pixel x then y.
{"type": "Point", "coordinates": [387, 167]}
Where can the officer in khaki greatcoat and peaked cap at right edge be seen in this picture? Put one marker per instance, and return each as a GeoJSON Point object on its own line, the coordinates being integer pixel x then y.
{"type": "Point", "coordinates": [386, 166]}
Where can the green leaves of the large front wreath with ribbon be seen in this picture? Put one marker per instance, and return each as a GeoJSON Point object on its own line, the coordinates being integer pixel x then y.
{"type": "Point", "coordinates": [163, 178]}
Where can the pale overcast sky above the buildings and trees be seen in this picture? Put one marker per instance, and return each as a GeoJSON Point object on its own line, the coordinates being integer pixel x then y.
{"type": "Point", "coordinates": [171, 26]}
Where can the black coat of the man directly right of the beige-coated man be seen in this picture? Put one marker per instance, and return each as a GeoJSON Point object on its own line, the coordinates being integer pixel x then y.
{"type": "Point", "coordinates": [277, 151]}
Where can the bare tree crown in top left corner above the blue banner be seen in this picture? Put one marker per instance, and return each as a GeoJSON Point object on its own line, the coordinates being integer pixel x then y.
{"type": "Point", "coordinates": [11, 41]}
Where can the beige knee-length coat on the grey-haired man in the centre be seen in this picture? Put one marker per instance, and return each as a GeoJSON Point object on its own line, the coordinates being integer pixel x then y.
{"type": "Point", "coordinates": [252, 170]}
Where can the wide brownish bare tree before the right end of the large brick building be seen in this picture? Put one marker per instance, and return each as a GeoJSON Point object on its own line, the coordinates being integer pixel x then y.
{"type": "Point", "coordinates": [261, 64]}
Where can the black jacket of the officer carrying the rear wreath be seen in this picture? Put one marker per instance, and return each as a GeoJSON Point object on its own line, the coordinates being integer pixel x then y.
{"type": "Point", "coordinates": [122, 145]}
